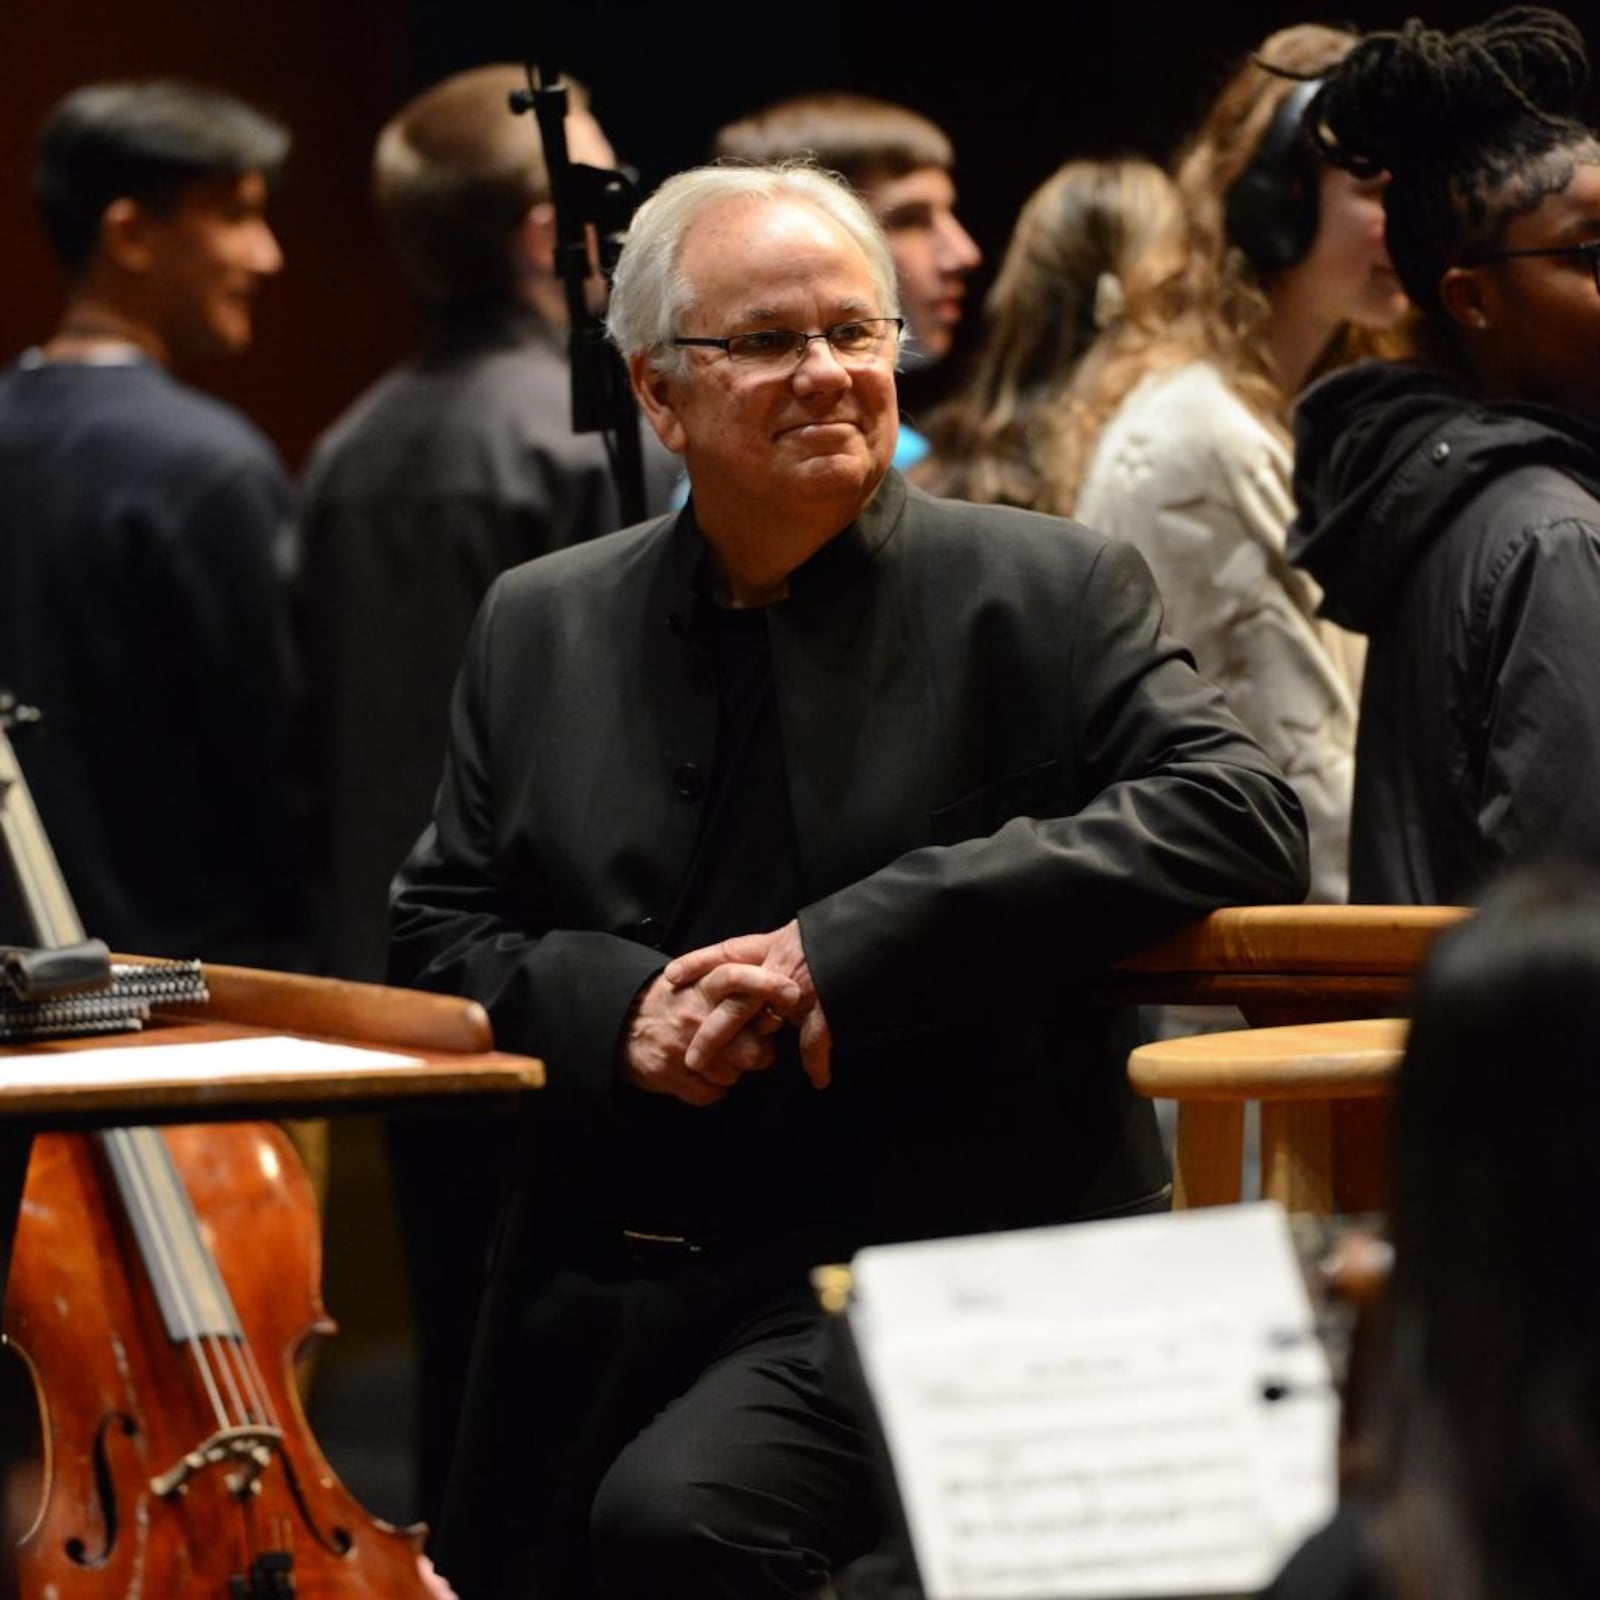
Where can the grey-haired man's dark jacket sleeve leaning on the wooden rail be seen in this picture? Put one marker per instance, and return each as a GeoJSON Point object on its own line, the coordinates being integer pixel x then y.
{"type": "Point", "coordinates": [1185, 815]}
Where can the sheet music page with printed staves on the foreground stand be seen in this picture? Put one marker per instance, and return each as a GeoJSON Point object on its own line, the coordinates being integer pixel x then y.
{"type": "Point", "coordinates": [1079, 1414]}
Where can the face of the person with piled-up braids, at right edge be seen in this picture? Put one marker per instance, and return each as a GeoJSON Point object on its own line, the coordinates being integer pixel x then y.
{"type": "Point", "coordinates": [1534, 322]}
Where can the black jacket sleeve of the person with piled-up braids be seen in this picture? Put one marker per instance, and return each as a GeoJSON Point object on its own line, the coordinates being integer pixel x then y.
{"type": "Point", "coordinates": [1537, 700]}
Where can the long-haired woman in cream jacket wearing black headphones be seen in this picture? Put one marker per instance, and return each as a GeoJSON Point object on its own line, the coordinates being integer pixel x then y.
{"type": "Point", "coordinates": [1178, 438]}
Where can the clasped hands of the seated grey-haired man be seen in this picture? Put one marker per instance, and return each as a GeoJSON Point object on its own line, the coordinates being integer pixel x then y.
{"type": "Point", "coordinates": [710, 1017]}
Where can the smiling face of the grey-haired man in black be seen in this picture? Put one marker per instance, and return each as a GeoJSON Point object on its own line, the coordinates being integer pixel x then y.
{"type": "Point", "coordinates": [807, 439]}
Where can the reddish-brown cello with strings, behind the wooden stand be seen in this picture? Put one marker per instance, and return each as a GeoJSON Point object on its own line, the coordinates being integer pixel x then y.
{"type": "Point", "coordinates": [162, 1286]}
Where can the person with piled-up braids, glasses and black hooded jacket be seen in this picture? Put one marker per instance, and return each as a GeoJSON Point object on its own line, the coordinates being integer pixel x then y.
{"type": "Point", "coordinates": [1450, 508]}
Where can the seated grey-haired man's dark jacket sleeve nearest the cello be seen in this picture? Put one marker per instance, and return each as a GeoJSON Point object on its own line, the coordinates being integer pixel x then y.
{"type": "Point", "coordinates": [556, 993]}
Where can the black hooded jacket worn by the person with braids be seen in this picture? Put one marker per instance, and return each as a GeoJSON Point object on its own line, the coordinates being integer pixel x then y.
{"type": "Point", "coordinates": [1465, 542]}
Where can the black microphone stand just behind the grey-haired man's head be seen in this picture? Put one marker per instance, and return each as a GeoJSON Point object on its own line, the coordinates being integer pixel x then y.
{"type": "Point", "coordinates": [601, 199]}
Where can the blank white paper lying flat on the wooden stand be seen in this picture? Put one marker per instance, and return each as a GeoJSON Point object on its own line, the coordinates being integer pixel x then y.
{"type": "Point", "coordinates": [228, 1058]}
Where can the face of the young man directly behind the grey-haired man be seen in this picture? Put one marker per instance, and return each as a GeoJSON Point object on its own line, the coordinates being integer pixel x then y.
{"type": "Point", "coordinates": [934, 254]}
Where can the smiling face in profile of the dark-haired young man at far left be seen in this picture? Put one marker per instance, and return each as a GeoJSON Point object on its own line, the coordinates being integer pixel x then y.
{"type": "Point", "coordinates": [204, 265]}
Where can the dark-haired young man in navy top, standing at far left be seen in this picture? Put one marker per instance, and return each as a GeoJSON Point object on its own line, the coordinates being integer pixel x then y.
{"type": "Point", "coordinates": [143, 535]}
